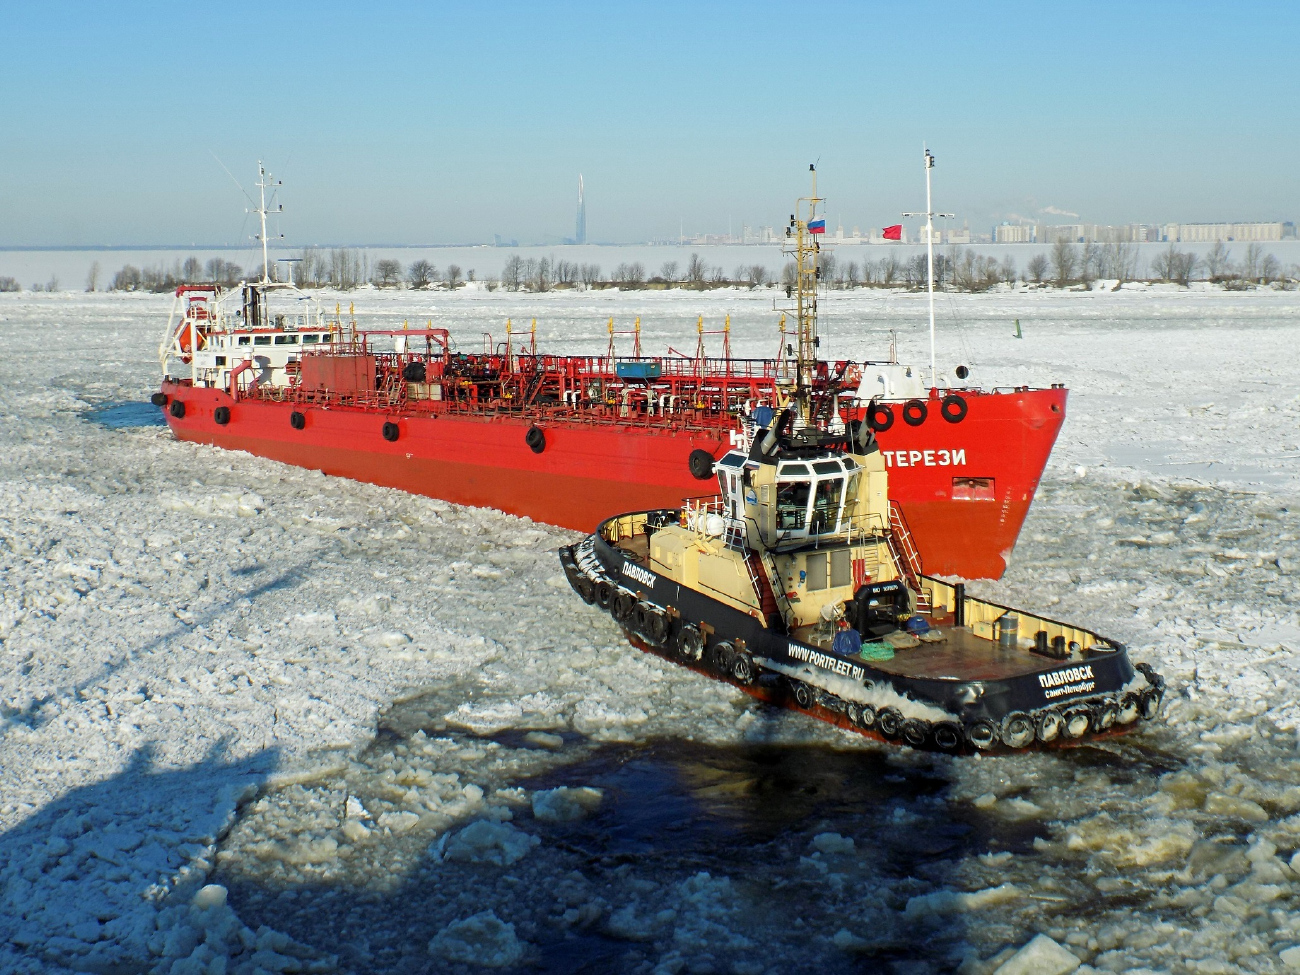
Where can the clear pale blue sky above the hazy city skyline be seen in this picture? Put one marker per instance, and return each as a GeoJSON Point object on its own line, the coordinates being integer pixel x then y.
{"type": "Point", "coordinates": [426, 123]}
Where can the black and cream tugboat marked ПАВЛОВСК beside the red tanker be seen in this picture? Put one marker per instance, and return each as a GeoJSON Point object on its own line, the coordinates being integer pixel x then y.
{"type": "Point", "coordinates": [801, 584]}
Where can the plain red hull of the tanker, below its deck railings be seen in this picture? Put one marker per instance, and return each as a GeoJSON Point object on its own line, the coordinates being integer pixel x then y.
{"type": "Point", "coordinates": [965, 488]}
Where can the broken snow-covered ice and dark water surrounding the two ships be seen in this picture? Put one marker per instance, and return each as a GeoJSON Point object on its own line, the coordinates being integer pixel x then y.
{"type": "Point", "coordinates": [197, 649]}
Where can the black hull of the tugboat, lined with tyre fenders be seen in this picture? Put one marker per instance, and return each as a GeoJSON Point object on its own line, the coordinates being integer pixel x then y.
{"type": "Point", "coordinates": [1081, 699]}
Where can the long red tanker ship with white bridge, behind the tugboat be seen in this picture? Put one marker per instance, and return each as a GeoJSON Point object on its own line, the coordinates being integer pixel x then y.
{"type": "Point", "coordinates": [574, 440]}
